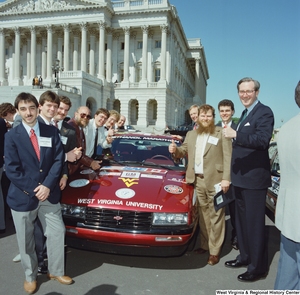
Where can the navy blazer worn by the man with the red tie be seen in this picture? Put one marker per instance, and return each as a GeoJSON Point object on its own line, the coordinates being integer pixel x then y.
{"type": "Point", "coordinates": [25, 171]}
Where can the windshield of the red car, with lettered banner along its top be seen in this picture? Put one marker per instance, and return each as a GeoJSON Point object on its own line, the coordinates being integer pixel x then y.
{"type": "Point", "coordinates": [143, 149]}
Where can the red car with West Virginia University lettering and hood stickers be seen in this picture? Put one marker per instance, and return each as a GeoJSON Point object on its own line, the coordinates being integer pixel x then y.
{"type": "Point", "coordinates": [137, 204]}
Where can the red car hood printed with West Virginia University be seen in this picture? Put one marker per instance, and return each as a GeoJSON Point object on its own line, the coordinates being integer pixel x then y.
{"type": "Point", "coordinates": [130, 188]}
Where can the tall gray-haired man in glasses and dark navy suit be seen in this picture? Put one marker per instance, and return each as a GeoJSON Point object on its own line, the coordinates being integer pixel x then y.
{"type": "Point", "coordinates": [251, 177]}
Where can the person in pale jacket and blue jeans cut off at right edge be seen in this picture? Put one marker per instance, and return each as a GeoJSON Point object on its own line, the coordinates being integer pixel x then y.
{"type": "Point", "coordinates": [288, 203]}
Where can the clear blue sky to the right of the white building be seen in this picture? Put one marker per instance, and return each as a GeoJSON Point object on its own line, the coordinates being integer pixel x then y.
{"type": "Point", "coordinates": [258, 39]}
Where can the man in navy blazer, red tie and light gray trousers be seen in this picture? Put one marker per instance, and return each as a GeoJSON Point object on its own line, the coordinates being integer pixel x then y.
{"type": "Point", "coordinates": [33, 158]}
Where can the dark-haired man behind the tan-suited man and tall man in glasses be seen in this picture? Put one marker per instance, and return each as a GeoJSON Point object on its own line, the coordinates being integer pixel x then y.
{"type": "Point", "coordinates": [226, 111]}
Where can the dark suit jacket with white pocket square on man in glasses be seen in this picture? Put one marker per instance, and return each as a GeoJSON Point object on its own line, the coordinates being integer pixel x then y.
{"type": "Point", "coordinates": [250, 163]}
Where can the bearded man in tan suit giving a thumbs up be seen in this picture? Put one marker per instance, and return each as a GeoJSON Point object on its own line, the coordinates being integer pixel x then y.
{"type": "Point", "coordinates": [209, 164]}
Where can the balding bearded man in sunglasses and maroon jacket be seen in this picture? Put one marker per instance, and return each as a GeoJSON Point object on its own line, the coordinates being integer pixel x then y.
{"type": "Point", "coordinates": [81, 120]}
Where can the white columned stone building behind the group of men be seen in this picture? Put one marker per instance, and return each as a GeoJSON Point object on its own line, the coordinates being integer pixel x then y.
{"type": "Point", "coordinates": [130, 55]}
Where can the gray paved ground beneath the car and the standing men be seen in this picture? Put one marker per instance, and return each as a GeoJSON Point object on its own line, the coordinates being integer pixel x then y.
{"type": "Point", "coordinates": [103, 274]}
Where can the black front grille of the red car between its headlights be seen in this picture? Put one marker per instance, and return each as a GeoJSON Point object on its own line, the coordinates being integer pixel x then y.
{"type": "Point", "coordinates": [118, 219]}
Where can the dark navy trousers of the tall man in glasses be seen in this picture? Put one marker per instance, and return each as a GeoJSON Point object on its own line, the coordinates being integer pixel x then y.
{"type": "Point", "coordinates": [250, 227]}
